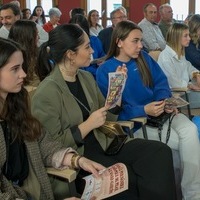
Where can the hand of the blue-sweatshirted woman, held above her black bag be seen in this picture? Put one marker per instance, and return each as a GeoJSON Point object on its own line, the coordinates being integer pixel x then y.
{"type": "Point", "coordinates": [155, 108]}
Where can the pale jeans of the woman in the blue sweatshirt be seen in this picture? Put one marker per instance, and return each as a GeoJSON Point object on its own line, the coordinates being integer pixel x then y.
{"type": "Point", "coordinates": [184, 138]}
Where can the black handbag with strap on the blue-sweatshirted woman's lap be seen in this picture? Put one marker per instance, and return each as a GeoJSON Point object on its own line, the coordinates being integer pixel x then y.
{"type": "Point", "coordinates": [159, 121]}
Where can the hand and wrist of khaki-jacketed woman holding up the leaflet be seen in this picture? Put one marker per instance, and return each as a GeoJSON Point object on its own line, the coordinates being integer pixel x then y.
{"type": "Point", "coordinates": [95, 120]}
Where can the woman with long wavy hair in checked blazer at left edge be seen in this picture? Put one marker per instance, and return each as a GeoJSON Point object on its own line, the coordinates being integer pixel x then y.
{"type": "Point", "coordinates": [24, 145]}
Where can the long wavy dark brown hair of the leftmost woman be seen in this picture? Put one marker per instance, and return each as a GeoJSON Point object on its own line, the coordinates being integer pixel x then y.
{"type": "Point", "coordinates": [16, 109]}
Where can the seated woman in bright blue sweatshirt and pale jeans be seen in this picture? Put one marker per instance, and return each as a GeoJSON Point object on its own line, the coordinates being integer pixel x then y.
{"type": "Point", "coordinates": [144, 93]}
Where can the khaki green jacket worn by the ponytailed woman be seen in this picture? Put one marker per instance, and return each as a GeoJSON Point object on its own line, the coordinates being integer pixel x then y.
{"type": "Point", "coordinates": [56, 108]}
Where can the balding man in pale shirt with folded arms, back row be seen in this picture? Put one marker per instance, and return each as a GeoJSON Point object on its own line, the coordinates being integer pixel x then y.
{"type": "Point", "coordinates": [152, 36]}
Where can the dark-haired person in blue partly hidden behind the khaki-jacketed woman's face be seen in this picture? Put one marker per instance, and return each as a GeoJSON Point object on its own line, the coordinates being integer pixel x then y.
{"type": "Point", "coordinates": [95, 44]}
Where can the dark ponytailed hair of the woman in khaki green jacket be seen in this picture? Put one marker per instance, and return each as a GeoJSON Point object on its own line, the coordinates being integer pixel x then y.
{"type": "Point", "coordinates": [62, 38]}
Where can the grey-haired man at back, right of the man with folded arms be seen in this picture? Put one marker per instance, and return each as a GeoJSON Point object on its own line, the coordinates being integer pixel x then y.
{"type": "Point", "coordinates": [166, 18]}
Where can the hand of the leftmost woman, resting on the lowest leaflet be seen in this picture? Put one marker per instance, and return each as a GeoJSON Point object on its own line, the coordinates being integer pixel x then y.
{"type": "Point", "coordinates": [90, 166]}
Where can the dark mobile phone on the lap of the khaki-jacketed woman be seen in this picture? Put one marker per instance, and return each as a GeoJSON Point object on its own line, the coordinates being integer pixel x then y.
{"type": "Point", "coordinates": [116, 144]}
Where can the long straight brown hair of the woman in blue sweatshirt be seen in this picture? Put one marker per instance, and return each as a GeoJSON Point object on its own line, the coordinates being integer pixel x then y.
{"type": "Point", "coordinates": [121, 32]}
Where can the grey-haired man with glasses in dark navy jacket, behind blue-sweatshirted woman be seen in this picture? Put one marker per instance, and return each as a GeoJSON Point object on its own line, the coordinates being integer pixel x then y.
{"type": "Point", "coordinates": [116, 16]}
